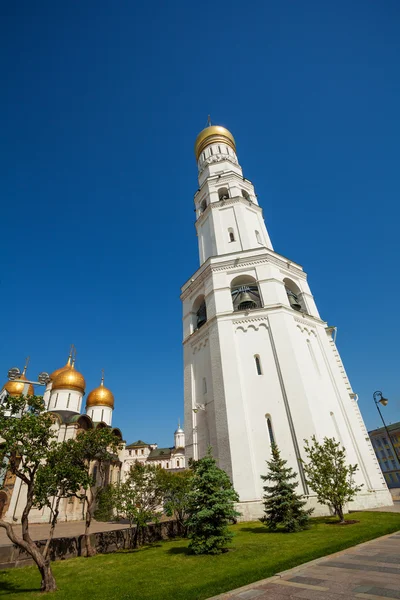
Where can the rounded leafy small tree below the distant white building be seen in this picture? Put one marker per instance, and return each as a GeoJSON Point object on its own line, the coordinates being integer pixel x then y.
{"type": "Point", "coordinates": [139, 498]}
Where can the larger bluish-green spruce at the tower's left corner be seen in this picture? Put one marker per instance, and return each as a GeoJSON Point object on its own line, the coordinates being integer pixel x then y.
{"type": "Point", "coordinates": [210, 507]}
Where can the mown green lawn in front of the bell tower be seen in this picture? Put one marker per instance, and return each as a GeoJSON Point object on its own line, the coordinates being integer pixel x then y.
{"type": "Point", "coordinates": [166, 571]}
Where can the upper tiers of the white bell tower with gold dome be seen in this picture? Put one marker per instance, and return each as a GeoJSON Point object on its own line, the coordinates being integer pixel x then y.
{"type": "Point", "coordinates": [228, 217]}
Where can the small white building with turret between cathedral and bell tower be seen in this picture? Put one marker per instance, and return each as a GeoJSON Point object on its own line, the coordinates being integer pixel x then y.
{"type": "Point", "coordinates": [171, 459]}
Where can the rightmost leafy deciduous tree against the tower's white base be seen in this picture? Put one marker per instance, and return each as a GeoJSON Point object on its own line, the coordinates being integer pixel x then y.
{"type": "Point", "coordinates": [329, 475]}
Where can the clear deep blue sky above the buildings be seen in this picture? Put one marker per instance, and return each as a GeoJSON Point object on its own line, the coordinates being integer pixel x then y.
{"type": "Point", "coordinates": [100, 106]}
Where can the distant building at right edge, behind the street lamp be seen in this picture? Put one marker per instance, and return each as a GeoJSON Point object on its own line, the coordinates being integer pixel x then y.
{"type": "Point", "coordinates": [384, 452]}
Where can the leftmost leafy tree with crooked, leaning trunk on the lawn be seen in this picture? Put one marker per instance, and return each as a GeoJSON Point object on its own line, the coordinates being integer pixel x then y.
{"type": "Point", "coordinates": [26, 434]}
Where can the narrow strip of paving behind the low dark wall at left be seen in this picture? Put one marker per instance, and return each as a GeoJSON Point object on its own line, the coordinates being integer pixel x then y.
{"type": "Point", "coordinates": [39, 531]}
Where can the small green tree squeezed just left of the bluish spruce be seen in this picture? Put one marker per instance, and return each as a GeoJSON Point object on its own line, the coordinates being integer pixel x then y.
{"type": "Point", "coordinates": [176, 488]}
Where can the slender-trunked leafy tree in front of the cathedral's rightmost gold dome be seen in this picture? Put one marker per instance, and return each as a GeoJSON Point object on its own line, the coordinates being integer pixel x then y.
{"type": "Point", "coordinates": [96, 448]}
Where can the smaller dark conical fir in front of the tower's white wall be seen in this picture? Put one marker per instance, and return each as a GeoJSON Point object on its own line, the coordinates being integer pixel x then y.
{"type": "Point", "coordinates": [283, 507]}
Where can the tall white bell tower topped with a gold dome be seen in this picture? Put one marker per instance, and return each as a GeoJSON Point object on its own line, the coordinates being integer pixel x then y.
{"type": "Point", "coordinates": [260, 365]}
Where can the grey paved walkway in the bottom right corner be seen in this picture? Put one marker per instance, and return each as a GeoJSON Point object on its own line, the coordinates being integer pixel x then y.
{"type": "Point", "coordinates": [370, 570]}
